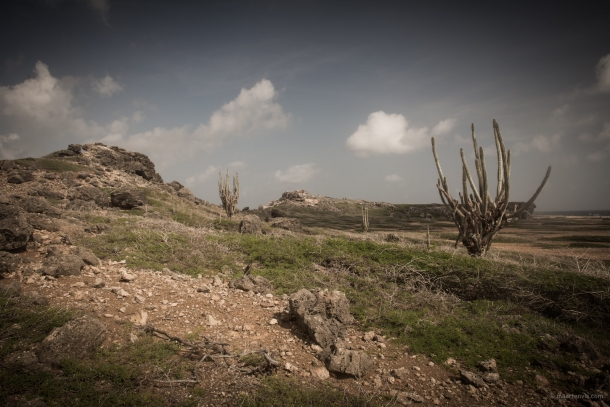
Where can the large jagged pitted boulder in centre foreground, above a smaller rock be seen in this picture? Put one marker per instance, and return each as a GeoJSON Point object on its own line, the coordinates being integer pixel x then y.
{"type": "Point", "coordinates": [323, 314]}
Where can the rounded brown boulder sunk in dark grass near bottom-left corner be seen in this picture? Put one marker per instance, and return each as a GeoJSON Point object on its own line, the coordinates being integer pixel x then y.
{"type": "Point", "coordinates": [75, 339]}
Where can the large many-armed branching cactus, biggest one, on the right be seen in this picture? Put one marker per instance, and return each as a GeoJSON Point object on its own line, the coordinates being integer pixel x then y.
{"type": "Point", "coordinates": [477, 216]}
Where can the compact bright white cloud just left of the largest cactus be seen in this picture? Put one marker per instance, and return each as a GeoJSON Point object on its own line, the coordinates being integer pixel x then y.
{"type": "Point", "coordinates": [387, 133]}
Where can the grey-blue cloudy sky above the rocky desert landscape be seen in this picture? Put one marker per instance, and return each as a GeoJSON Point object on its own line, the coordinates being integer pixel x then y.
{"type": "Point", "coordinates": [339, 98]}
